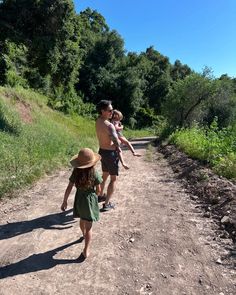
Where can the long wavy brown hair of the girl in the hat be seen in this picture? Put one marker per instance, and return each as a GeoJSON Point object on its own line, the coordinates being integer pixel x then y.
{"type": "Point", "coordinates": [84, 178]}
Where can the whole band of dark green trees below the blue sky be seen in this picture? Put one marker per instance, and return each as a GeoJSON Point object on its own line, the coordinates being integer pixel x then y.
{"type": "Point", "coordinates": [76, 60]}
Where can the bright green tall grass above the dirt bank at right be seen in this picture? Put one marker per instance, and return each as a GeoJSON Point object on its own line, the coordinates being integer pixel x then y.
{"type": "Point", "coordinates": [213, 145]}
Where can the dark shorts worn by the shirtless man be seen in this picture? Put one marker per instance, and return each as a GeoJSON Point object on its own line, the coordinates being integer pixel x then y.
{"type": "Point", "coordinates": [110, 161]}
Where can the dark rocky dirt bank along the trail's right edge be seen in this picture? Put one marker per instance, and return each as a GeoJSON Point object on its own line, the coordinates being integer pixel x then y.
{"type": "Point", "coordinates": [216, 195]}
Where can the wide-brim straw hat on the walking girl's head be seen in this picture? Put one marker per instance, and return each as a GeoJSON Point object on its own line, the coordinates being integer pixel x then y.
{"type": "Point", "coordinates": [85, 158]}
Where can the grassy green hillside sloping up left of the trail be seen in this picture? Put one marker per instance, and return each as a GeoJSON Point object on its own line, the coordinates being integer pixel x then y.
{"type": "Point", "coordinates": [35, 140]}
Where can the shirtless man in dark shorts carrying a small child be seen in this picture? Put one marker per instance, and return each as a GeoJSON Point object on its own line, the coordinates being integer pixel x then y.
{"type": "Point", "coordinates": [108, 149]}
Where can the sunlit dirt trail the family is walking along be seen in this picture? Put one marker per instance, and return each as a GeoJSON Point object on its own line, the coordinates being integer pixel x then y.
{"type": "Point", "coordinates": [155, 241]}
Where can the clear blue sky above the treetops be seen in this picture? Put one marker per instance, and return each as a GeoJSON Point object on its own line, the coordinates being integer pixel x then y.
{"type": "Point", "coordinates": [197, 32]}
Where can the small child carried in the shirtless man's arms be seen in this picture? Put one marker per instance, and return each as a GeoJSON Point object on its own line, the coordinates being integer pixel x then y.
{"type": "Point", "coordinates": [115, 120]}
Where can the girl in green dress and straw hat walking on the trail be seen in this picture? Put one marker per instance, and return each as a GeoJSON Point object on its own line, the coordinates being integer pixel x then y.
{"type": "Point", "coordinates": [87, 182]}
